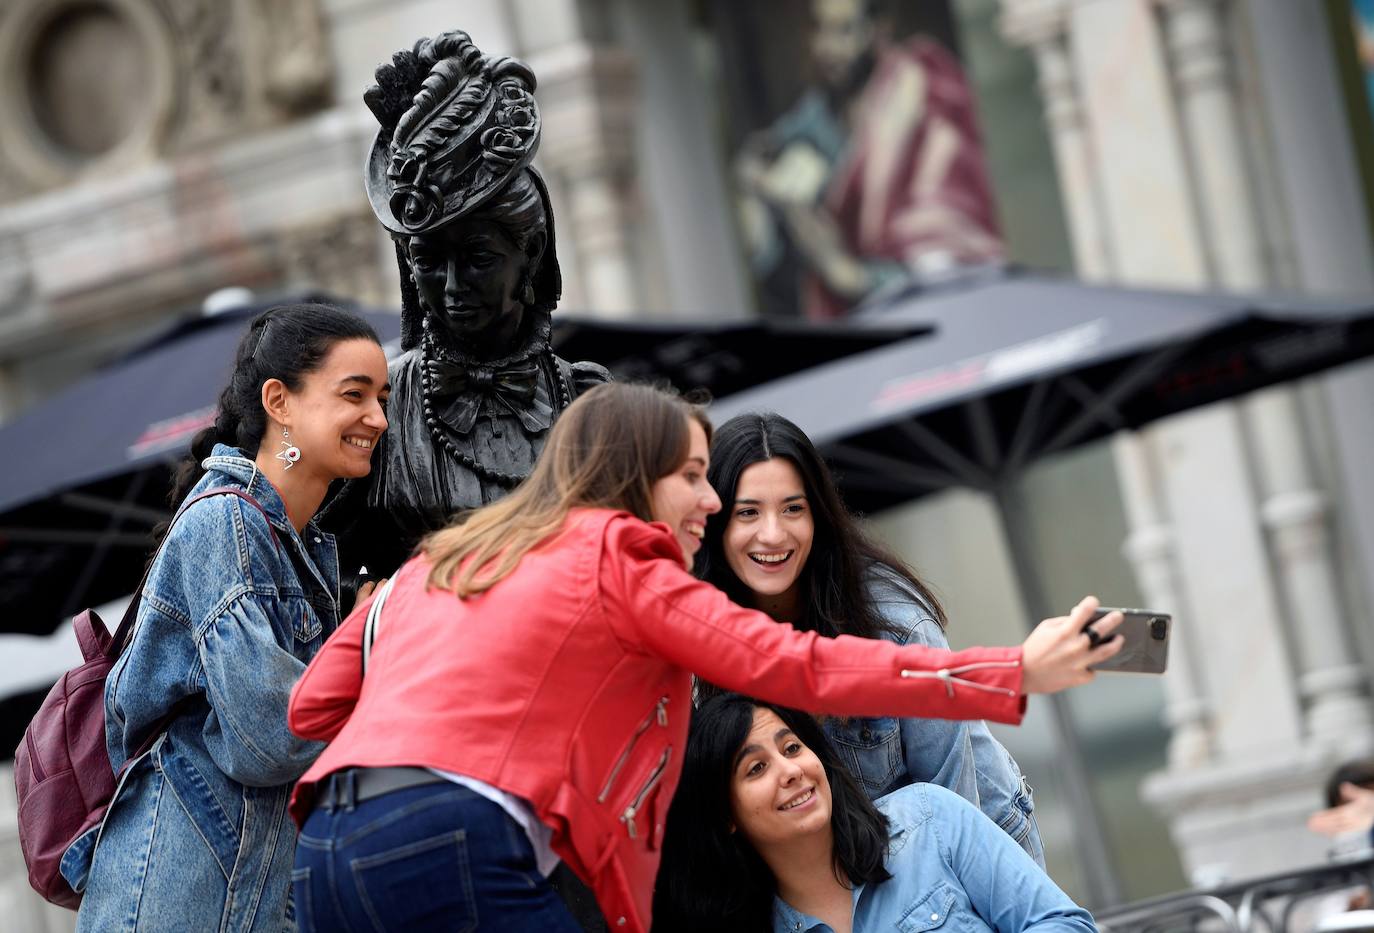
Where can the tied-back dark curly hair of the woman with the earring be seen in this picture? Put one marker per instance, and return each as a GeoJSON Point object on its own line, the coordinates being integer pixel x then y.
{"type": "Point", "coordinates": [285, 343]}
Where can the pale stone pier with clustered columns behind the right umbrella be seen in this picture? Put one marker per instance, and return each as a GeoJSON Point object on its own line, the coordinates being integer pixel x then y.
{"type": "Point", "coordinates": [1239, 168]}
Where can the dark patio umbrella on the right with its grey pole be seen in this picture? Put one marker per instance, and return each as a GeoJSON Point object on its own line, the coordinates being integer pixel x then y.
{"type": "Point", "coordinates": [1017, 368]}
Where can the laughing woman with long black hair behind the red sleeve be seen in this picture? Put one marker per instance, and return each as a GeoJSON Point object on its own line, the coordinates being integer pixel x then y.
{"type": "Point", "coordinates": [785, 543]}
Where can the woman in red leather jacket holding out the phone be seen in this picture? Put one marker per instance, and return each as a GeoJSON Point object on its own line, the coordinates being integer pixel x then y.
{"type": "Point", "coordinates": [528, 693]}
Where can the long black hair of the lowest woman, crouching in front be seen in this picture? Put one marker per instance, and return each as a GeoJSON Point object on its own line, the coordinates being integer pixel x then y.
{"type": "Point", "coordinates": [711, 879]}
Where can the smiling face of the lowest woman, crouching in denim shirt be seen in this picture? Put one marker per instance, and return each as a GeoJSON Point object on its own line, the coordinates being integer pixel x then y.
{"type": "Point", "coordinates": [778, 788]}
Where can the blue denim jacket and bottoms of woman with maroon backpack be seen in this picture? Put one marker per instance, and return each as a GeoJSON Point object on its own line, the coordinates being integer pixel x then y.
{"type": "Point", "coordinates": [199, 838]}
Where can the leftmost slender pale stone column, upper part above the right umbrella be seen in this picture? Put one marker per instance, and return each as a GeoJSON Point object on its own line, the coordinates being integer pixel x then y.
{"type": "Point", "coordinates": [1044, 30]}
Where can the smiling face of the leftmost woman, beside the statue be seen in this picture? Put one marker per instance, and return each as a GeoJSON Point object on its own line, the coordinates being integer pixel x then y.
{"type": "Point", "coordinates": [340, 412]}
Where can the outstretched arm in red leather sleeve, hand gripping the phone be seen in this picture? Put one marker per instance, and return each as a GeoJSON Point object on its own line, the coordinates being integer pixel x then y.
{"type": "Point", "coordinates": [657, 607]}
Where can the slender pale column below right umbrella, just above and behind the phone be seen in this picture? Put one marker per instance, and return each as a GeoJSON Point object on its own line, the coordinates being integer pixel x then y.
{"type": "Point", "coordinates": [1151, 549]}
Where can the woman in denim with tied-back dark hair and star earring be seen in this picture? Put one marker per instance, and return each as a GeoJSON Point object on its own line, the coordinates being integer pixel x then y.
{"type": "Point", "coordinates": [237, 603]}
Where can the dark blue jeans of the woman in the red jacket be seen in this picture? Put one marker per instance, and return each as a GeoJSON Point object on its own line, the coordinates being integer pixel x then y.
{"type": "Point", "coordinates": [431, 858]}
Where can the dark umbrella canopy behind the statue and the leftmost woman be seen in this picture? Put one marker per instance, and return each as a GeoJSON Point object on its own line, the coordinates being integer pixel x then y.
{"type": "Point", "coordinates": [89, 472]}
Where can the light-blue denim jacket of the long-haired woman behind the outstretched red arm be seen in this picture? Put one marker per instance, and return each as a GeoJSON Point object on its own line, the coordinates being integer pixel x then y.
{"type": "Point", "coordinates": [890, 754]}
